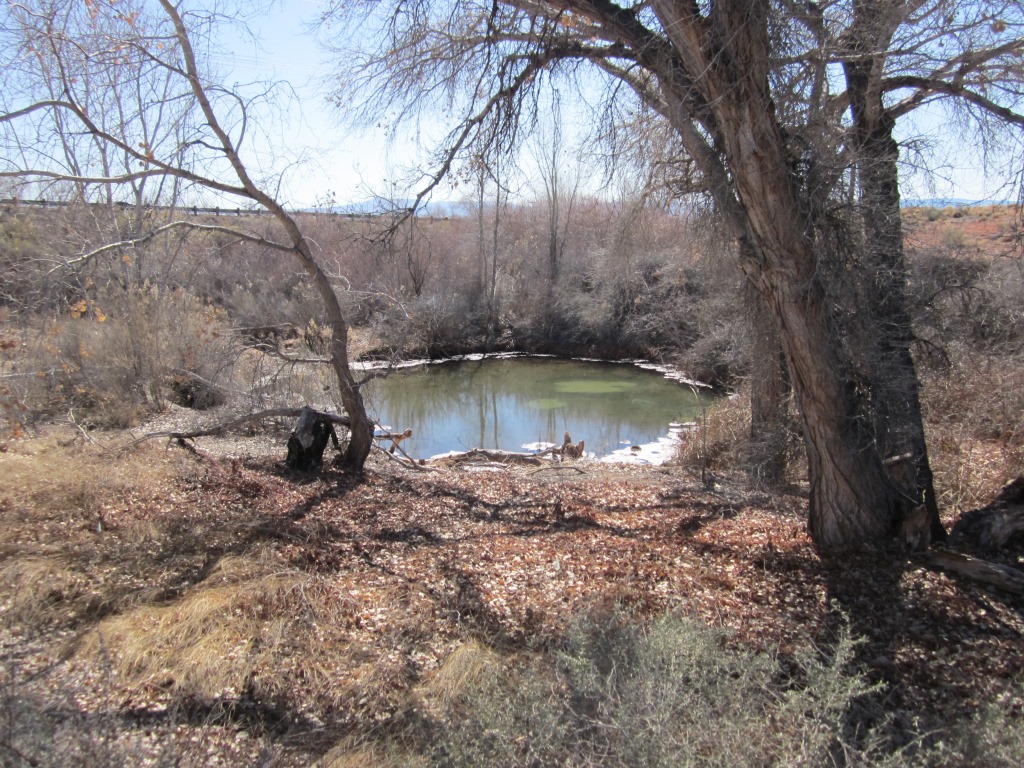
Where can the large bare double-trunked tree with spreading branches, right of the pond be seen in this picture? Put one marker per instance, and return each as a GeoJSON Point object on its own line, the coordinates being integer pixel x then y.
{"type": "Point", "coordinates": [750, 95]}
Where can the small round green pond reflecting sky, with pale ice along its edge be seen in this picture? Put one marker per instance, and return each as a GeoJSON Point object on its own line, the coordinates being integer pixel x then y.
{"type": "Point", "coordinates": [621, 410]}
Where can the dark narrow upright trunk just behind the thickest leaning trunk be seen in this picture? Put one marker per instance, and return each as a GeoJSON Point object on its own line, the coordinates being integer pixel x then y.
{"type": "Point", "coordinates": [884, 335]}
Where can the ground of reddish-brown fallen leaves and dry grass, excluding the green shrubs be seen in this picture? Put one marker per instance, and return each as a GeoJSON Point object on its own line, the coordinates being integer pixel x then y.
{"type": "Point", "coordinates": [226, 611]}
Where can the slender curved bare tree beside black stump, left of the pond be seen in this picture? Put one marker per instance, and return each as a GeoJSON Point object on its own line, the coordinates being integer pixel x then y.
{"type": "Point", "coordinates": [112, 98]}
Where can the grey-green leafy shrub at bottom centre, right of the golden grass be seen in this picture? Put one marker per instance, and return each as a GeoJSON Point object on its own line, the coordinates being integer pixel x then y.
{"type": "Point", "coordinates": [668, 694]}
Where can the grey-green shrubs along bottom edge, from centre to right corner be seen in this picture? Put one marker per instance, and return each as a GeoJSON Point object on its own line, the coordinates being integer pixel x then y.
{"type": "Point", "coordinates": [672, 693]}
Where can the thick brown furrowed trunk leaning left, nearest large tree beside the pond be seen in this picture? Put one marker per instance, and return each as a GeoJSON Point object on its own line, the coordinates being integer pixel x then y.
{"type": "Point", "coordinates": [852, 504]}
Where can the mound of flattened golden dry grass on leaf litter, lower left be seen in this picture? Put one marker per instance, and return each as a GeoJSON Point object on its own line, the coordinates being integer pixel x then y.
{"type": "Point", "coordinates": [253, 628]}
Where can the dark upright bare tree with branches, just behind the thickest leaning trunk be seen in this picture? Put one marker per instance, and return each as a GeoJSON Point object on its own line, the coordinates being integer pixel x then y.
{"type": "Point", "coordinates": [898, 57]}
